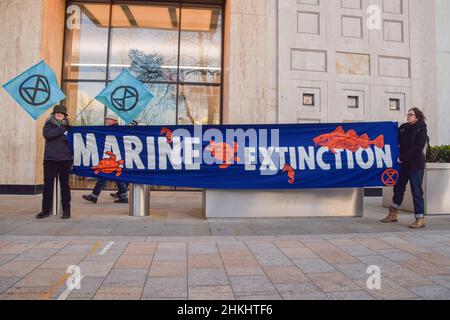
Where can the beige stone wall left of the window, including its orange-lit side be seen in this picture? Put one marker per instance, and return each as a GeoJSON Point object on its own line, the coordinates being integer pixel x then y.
{"type": "Point", "coordinates": [30, 31]}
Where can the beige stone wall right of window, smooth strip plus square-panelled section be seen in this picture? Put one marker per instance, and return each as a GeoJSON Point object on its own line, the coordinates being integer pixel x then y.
{"type": "Point", "coordinates": [276, 51]}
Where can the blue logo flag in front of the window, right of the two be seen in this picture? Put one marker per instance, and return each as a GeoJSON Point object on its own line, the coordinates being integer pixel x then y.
{"type": "Point", "coordinates": [125, 96]}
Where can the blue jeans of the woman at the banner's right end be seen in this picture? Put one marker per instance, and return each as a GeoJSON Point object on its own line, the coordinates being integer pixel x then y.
{"type": "Point", "coordinates": [415, 179]}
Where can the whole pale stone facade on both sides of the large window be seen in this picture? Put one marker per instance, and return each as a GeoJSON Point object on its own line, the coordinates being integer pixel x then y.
{"type": "Point", "coordinates": [286, 61]}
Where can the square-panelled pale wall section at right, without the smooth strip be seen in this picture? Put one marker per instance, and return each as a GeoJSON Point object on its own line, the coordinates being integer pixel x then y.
{"type": "Point", "coordinates": [326, 49]}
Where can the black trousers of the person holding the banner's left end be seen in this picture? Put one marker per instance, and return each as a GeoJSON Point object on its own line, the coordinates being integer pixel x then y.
{"type": "Point", "coordinates": [53, 169]}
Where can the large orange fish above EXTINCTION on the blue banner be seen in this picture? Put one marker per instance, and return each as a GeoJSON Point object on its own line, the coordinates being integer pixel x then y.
{"type": "Point", "coordinates": [339, 139]}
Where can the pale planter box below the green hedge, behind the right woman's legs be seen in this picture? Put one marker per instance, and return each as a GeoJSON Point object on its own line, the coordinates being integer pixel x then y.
{"type": "Point", "coordinates": [436, 187]}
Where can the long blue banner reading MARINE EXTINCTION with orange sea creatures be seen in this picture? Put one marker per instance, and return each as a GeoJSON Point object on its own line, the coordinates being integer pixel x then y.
{"type": "Point", "coordinates": [310, 156]}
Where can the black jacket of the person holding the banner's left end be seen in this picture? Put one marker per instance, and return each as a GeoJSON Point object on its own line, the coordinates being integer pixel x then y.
{"type": "Point", "coordinates": [56, 145]}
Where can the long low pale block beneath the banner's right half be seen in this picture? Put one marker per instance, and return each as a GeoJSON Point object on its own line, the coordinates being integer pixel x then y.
{"type": "Point", "coordinates": [283, 203]}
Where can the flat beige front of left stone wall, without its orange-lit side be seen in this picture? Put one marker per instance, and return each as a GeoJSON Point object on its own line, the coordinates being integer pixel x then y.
{"type": "Point", "coordinates": [20, 22]}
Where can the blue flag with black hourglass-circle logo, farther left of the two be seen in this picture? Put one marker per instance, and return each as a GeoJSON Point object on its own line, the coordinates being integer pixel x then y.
{"type": "Point", "coordinates": [36, 90]}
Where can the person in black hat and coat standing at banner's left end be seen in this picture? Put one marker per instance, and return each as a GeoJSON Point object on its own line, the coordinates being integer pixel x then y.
{"type": "Point", "coordinates": [57, 161]}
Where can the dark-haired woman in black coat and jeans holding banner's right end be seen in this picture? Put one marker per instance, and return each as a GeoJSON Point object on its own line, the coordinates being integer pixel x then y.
{"type": "Point", "coordinates": [413, 138]}
